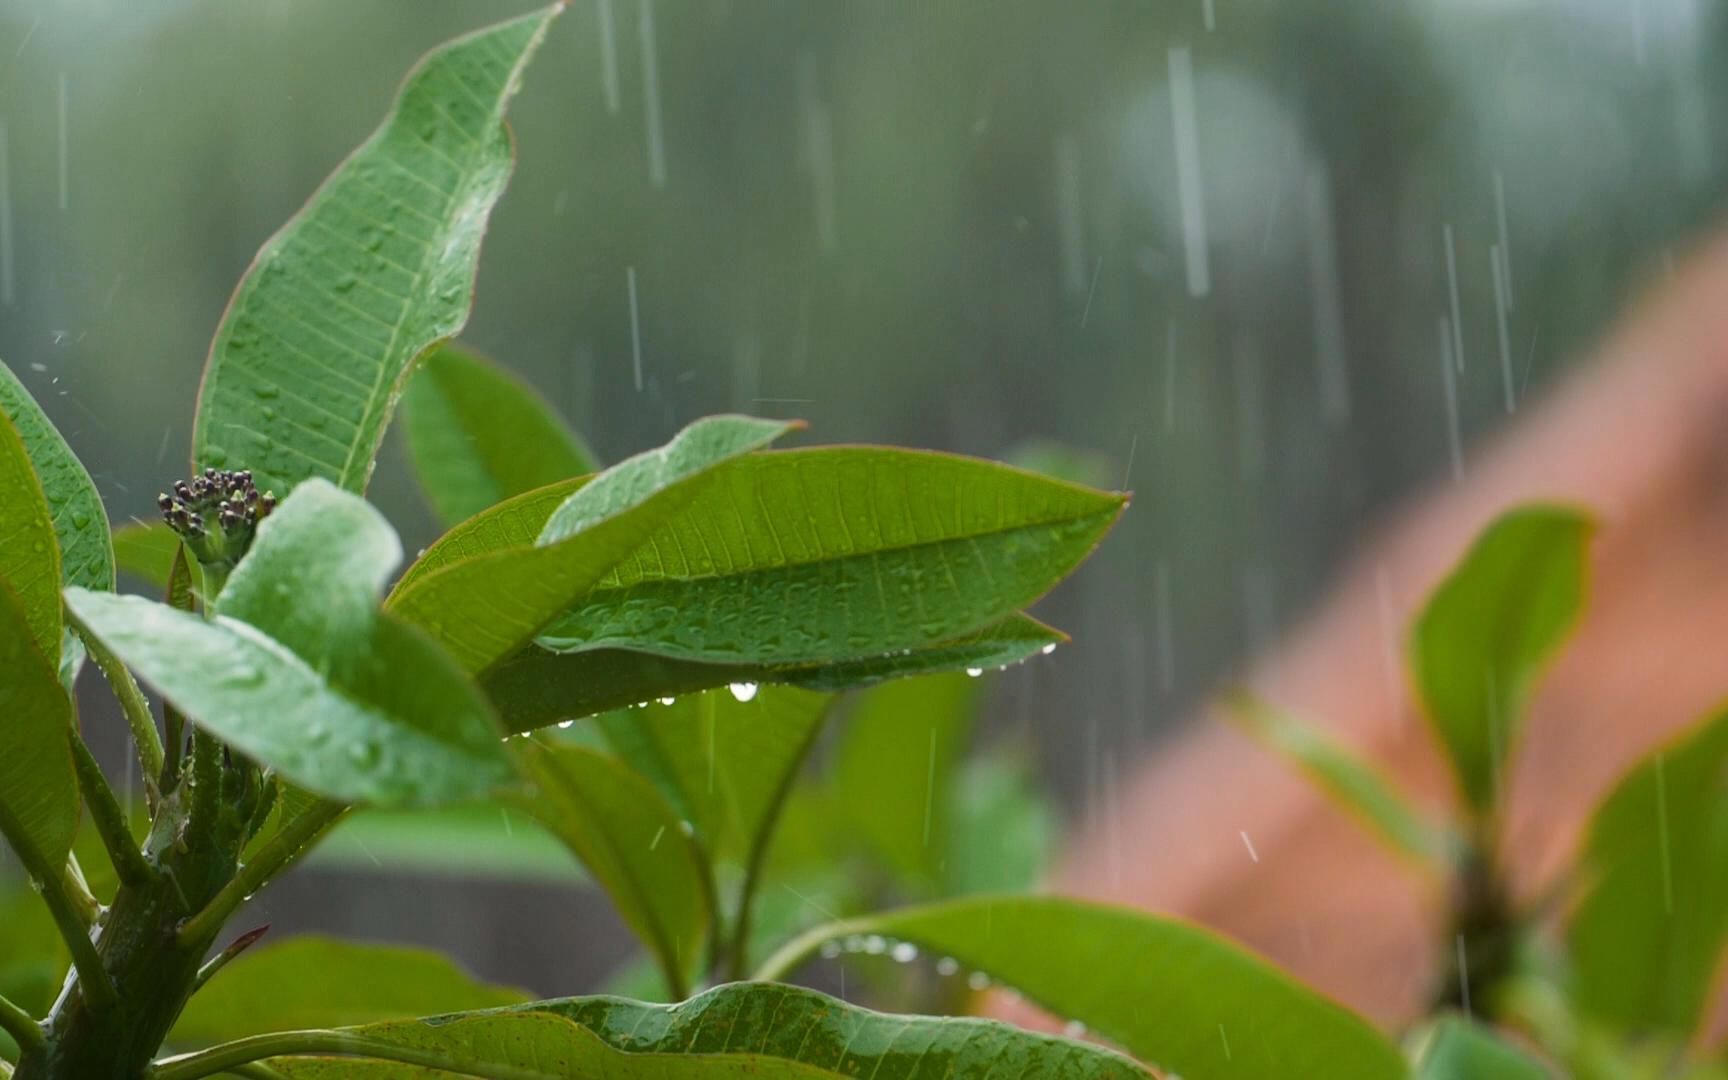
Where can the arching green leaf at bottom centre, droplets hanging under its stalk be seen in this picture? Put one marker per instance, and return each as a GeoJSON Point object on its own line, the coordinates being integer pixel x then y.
{"type": "Point", "coordinates": [1169, 993]}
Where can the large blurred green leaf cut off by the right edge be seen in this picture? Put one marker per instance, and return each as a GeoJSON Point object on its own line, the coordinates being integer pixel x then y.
{"type": "Point", "coordinates": [1649, 934]}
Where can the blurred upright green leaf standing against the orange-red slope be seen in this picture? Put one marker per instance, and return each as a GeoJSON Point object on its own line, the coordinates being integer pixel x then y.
{"type": "Point", "coordinates": [1490, 630]}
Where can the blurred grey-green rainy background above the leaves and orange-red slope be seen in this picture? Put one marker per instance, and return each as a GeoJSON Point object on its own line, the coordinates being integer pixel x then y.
{"type": "Point", "coordinates": [1217, 243]}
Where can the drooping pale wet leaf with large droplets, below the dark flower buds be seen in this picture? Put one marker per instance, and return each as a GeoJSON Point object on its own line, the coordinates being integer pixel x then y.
{"type": "Point", "coordinates": [397, 725]}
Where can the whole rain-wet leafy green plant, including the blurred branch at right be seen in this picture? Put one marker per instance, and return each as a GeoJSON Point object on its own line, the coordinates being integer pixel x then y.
{"type": "Point", "coordinates": [642, 659]}
